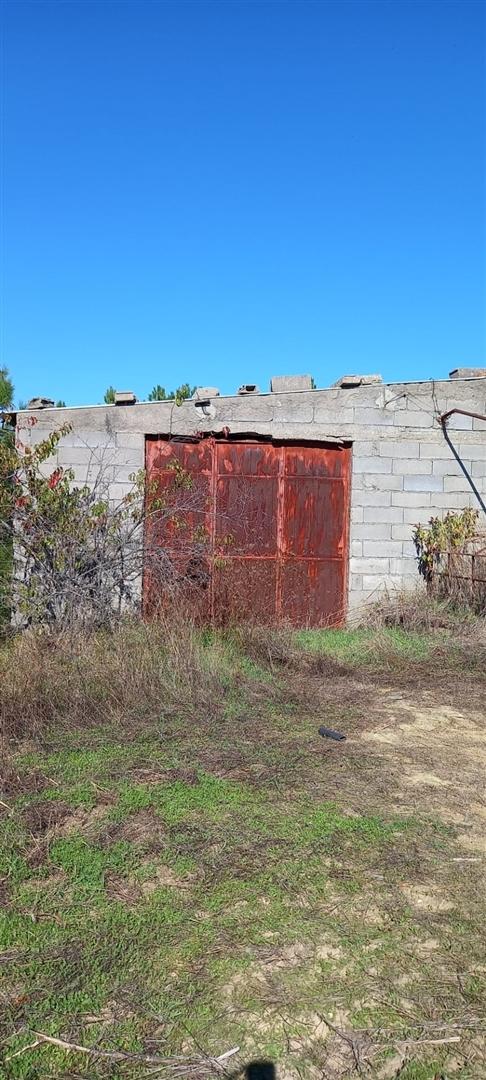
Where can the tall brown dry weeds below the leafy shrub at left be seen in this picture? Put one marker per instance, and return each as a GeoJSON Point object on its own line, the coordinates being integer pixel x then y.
{"type": "Point", "coordinates": [136, 673]}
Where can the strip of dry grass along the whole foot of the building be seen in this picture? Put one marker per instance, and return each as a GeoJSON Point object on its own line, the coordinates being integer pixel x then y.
{"type": "Point", "coordinates": [140, 672]}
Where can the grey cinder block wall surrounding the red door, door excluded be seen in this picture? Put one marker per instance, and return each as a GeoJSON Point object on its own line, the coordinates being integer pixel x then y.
{"type": "Point", "coordinates": [404, 471]}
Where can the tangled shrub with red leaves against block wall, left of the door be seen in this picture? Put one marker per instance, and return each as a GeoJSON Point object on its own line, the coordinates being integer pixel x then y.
{"type": "Point", "coordinates": [70, 544]}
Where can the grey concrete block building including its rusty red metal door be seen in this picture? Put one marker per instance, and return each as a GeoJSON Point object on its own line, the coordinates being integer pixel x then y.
{"type": "Point", "coordinates": [337, 477]}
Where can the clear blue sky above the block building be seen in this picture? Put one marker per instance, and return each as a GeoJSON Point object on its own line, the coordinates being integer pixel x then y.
{"type": "Point", "coordinates": [218, 193]}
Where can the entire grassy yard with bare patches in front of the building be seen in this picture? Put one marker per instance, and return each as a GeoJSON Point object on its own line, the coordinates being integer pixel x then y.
{"type": "Point", "coordinates": [188, 867]}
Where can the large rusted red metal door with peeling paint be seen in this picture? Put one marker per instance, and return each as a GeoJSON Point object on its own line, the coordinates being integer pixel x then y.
{"type": "Point", "coordinates": [271, 528]}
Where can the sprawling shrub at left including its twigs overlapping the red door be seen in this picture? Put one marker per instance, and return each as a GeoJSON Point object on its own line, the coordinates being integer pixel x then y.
{"type": "Point", "coordinates": [79, 555]}
